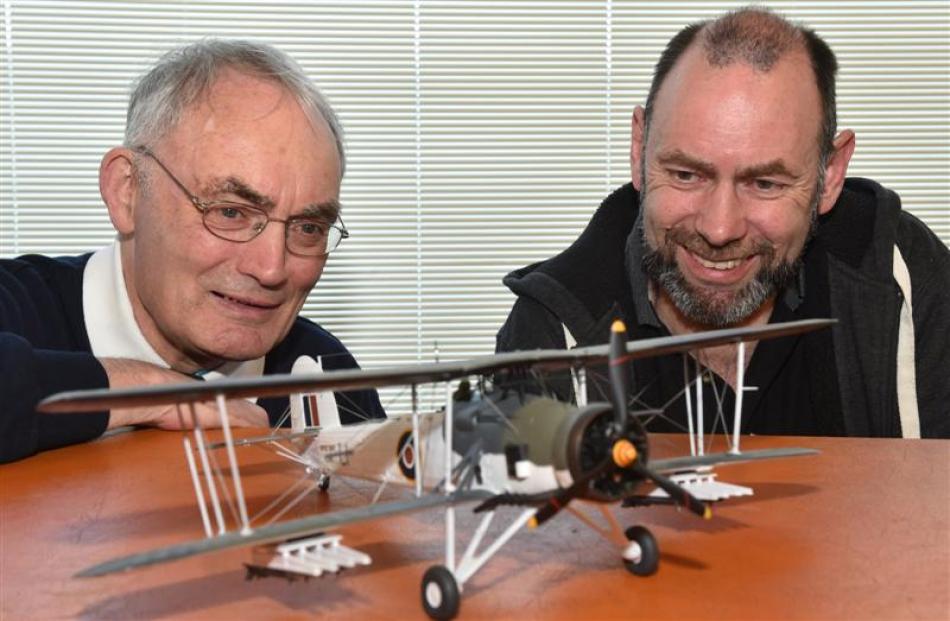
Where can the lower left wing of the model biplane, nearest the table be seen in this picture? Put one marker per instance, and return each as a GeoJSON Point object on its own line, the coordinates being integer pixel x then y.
{"type": "Point", "coordinates": [280, 531]}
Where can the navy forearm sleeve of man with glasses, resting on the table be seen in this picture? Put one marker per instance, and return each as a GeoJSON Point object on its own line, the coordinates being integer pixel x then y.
{"type": "Point", "coordinates": [27, 375]}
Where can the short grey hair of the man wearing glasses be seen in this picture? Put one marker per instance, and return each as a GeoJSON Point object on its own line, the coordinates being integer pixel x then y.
{"type": "Point", "coordinates": [183, 75]}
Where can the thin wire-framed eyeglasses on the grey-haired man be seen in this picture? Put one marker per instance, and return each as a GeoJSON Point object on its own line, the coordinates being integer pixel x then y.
{"type": "Point", "coordinates": [238, 222]}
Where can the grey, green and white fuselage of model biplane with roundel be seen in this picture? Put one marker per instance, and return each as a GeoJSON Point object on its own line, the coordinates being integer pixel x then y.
{"type": "Point", "coordinates": [515, 443]}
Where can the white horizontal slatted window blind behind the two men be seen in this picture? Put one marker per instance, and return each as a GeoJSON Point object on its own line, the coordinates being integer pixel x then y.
{"type": "Point", "coordinates": [481, 135]}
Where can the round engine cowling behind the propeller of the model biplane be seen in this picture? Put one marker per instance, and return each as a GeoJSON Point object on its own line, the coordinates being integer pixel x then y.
{"type": "Point", "coordinates": [583, 443]}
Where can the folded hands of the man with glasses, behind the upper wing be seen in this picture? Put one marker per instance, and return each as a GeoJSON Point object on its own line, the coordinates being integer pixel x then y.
{"type": "Point", "coordinates": [125, 373]}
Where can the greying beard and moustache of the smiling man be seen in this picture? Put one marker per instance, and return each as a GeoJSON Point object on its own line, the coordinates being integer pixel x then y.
{"type": "Point", "coordinates": [718, 309]}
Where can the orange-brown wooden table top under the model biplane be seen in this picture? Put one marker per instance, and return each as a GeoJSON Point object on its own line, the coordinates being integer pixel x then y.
{"type": "Point", "coordinates": [860, 531]}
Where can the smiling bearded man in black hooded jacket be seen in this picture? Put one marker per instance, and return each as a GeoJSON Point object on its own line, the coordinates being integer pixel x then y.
{"type": "Point", "coordinates": [740, 214]}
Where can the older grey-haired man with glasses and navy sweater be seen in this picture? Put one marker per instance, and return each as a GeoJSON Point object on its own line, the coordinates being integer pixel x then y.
{"type": "Point", "coordinates": [225, 197]}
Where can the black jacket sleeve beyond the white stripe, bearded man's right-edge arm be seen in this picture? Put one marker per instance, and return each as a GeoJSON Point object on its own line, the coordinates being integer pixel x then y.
{"type": "Point", "coordinates": [928, 261]}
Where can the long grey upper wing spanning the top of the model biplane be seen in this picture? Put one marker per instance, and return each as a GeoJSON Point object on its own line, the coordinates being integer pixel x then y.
{"type": "Point", "coordinates": [278, 385]}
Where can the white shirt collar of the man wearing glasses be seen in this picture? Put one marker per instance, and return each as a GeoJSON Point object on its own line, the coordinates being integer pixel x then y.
{"type": "Point", "coordinates": [111, 326]}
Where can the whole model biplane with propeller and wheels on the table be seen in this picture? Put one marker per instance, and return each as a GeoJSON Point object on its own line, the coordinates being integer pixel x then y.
{"type": "Point", "coordinates": [499, 447]}
